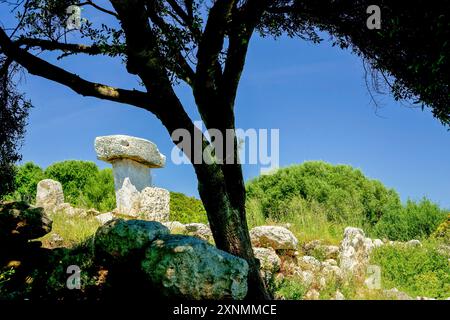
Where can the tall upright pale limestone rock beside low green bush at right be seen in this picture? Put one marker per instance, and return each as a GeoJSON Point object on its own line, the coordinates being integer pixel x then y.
{"type": "Point", "coordinates": [355, 251]}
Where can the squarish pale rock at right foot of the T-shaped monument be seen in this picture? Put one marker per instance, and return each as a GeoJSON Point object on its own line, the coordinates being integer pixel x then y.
{"type": "Point", "coordinates": [155, 204]}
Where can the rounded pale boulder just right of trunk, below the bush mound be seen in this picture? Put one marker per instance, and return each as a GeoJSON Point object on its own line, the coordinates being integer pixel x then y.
{"type": "Point", "coordinates": [275, 237]}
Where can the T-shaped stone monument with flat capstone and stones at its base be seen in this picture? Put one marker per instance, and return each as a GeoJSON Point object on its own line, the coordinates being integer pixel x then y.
{"type": "Point", "coordinates": [132, 160]}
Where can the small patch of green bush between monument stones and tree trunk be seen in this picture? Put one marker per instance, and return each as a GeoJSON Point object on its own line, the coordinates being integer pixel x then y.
{"type": "Point", "coordinates": [186, 209]}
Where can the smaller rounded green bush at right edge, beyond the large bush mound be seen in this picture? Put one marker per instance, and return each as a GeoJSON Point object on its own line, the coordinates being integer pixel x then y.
{"type": "Point", "coordinates": [417, 220]}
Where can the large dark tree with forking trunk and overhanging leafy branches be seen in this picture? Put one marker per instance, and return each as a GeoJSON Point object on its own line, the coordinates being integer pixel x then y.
{"type": "Point", "coordinates": [204, 44]}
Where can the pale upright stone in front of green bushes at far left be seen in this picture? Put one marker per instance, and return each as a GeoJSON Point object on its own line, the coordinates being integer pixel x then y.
{"type": "Point", "coordinates": [49, 195]}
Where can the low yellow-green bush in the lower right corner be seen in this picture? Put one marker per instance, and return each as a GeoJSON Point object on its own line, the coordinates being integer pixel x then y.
{"type": "Point", "coordinates": [418, 271]}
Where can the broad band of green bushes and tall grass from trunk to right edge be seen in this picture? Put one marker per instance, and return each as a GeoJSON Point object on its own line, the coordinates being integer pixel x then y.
{"type": "Point", "coordinates": [319, 200]}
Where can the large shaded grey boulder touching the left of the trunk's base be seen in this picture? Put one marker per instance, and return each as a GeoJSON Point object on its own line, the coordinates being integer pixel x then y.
{"type": "Point", "coordinates": [189, 268]}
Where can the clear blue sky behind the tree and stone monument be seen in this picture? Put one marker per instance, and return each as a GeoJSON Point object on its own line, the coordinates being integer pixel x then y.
{"type": "Point", "coordinates": [315, 95]}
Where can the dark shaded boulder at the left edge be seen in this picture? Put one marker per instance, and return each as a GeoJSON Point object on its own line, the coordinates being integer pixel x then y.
{"type": "Point", "coordinates": [20, 222]}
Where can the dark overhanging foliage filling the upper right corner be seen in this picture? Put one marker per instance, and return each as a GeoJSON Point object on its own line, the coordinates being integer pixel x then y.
{"type": "Point", "coordinates": [409, 55]}
